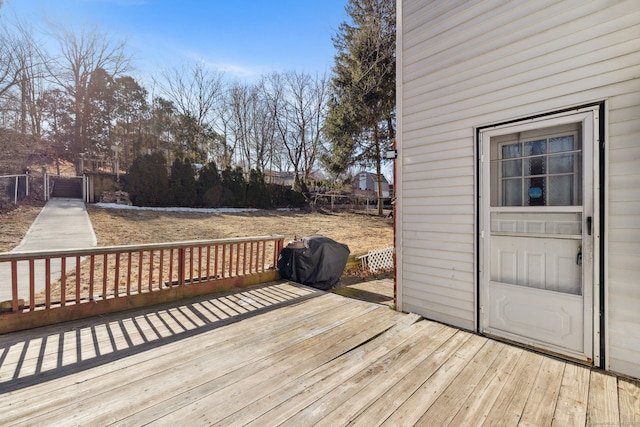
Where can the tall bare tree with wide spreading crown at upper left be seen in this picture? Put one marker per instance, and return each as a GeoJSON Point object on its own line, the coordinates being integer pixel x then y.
{"type": "Point", "coordinates": [81, 54]}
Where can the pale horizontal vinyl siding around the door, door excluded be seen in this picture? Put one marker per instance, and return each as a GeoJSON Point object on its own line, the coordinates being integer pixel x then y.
{"type": "Point", "coordinates": [466, 64]}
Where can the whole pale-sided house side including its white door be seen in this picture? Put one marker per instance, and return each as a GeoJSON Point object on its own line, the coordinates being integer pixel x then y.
{"type": "Point", "coordinates": [518, 172]}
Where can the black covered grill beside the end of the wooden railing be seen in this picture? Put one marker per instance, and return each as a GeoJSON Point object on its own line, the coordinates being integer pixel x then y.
{"type": "Point", "coordinates": [319, 264]}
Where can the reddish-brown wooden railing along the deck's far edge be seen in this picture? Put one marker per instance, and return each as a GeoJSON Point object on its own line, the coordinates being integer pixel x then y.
{"type": "Point", "coordinates": [83, 282]}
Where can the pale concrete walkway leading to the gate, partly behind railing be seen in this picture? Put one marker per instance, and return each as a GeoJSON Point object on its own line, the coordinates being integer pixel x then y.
{"type": "Point", "coordinates": [62, 224]}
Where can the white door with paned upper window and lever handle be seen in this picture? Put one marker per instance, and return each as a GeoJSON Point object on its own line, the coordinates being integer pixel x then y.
{"type": "Point", "coordinates": [536, 228]}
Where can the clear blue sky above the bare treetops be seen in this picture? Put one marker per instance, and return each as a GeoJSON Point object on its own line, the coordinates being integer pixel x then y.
{"type": "Point", "coordinates": [243, 38]}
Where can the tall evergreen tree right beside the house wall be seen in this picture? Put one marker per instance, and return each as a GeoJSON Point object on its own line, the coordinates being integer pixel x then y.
{"type": "Point", "coordinates": [361, 114]}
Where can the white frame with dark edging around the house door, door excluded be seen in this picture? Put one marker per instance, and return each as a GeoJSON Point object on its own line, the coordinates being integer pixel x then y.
{"type": "Point", "coordinates": [594, 313]}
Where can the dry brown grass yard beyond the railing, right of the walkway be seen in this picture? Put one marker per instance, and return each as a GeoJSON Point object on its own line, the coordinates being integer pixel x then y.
{"type": "Point", "coordinates": [361, 232]}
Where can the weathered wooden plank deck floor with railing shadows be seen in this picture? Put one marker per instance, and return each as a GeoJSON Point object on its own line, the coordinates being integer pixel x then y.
{"type": "Point", "coordinates": [287, 354]}
